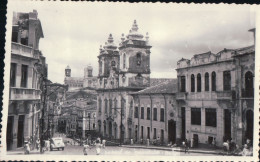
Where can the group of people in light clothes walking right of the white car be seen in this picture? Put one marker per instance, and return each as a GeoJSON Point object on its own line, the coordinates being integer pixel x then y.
{"type": "Point", "coordinates": [96, 143]}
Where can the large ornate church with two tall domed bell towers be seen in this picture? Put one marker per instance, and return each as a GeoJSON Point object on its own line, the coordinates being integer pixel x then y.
{"type": "Point", "coordinates": [123, 69]}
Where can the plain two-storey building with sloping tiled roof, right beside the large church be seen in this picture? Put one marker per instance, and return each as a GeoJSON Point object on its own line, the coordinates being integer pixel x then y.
{"type": "Point", "coordinates": [156, 114]}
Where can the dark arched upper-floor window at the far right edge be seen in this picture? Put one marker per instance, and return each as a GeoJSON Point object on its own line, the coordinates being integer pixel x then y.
{"type": "Point", "coordinates": [249, 84]}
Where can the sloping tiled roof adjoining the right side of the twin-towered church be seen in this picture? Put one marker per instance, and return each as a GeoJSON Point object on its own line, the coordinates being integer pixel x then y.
{"type": "Point", "coordinates": [167, 87]}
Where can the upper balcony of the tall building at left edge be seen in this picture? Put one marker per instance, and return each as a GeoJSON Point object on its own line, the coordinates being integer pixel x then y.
{"type": "Point", "coordinates": [24, 50]}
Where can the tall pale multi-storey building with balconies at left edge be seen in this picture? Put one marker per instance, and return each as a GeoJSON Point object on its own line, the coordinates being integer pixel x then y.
{"type": "Point", "coordinates": [25, 93]}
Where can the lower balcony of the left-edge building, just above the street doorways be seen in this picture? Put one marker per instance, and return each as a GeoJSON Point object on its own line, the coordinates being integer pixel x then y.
{"type": "Point", "coordinates": [24, 94]}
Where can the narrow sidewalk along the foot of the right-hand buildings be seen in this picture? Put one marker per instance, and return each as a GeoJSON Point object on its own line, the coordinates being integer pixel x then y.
{"type": "Point", "coordinates": [179, 149]}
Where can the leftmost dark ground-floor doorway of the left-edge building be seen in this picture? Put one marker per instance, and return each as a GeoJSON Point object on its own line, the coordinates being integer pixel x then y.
{"type": "Point", "coordinates": [9, 133]}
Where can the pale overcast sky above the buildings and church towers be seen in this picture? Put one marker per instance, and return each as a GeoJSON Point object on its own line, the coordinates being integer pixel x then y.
{"type": "Point", "coordinates": [73, 32]}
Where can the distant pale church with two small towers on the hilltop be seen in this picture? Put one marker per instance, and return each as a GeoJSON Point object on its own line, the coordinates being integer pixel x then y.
{"type": "Point", "coordinates": [79, 82]}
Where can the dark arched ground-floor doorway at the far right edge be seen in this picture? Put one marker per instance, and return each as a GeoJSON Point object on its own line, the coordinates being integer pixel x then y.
{"type": "Point", "coordinates": [249, 124]}
